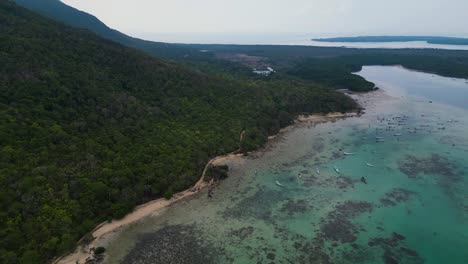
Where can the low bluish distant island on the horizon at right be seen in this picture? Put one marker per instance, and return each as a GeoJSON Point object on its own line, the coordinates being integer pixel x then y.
{"type": "Point", "coordinates": [428, 39]}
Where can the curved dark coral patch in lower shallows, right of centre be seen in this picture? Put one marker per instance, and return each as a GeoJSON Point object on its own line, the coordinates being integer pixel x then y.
{"type": "Point", "coordinates": [338, 226]}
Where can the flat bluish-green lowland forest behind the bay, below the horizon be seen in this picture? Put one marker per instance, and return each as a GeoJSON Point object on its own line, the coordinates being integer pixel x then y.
{"type": "Point", "coordinates": [334, 66]}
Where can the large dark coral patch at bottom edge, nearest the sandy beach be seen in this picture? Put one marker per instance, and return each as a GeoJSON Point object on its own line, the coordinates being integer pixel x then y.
{"type": "Point", "coordinates": [173, 244]}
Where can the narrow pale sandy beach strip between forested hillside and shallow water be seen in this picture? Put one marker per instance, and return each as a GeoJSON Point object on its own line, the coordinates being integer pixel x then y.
{"type": "Point", "coordinates": [102, 231]}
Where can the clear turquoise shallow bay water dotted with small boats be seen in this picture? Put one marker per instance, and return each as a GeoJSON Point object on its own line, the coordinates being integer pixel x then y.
{"type": "Point", "coordinates": [413, 209]}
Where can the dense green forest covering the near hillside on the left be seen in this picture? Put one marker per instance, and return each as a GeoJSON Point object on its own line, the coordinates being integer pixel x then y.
{"type": "Point", "coordinates": [90, 128]}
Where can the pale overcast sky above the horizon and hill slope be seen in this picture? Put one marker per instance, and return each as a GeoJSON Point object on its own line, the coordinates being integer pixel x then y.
{"type": "Point", "coordinates": [146, 18]}
